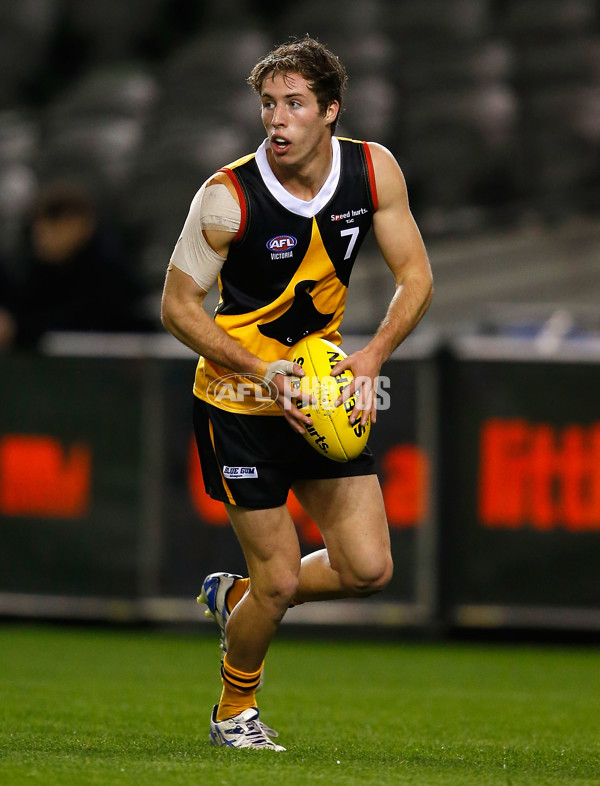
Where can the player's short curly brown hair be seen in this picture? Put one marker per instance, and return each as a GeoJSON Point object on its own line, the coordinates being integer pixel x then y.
{"type": "Point", "coordinates": [322, 70]}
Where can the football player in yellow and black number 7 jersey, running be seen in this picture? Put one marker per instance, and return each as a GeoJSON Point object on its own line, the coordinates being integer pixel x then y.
{"type": "Point", "coordinates": [279, 230]}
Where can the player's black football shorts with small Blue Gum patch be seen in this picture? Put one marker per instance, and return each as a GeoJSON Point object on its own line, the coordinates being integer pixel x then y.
{"type": "Point", "coordinates": [253, 460]}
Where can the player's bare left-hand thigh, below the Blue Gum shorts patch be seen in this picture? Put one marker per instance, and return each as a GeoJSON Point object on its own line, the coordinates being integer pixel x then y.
{"type": "Point", "coordinates": [270, 544]}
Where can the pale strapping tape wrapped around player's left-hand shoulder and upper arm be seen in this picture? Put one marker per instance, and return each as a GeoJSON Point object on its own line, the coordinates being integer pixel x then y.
{"type": "Point", "coordinates": [213, 207]}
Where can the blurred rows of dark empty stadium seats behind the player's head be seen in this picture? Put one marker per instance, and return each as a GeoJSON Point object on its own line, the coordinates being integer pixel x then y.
{"type": "Point", "coordinates": [491, 106]}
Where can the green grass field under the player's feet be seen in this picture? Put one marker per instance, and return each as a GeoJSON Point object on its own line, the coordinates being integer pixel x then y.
{"type": "Point", "coordinates": [123, 708]}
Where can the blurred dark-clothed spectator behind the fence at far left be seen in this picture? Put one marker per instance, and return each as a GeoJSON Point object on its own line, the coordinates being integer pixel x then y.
{"type": "Point", "coordinates": [73, 273]}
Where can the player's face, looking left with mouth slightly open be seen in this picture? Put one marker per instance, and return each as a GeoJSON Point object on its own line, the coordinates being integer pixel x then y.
{"type": "Point", "coordinates": [296, 127]}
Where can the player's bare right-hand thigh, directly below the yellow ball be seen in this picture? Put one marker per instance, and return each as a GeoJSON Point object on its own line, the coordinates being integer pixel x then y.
{"type": "Point", "coordinates": [351, 516]}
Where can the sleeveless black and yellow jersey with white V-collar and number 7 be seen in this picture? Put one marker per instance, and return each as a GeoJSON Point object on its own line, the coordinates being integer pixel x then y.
{"type": "Point", "coordinates": [288, 268]}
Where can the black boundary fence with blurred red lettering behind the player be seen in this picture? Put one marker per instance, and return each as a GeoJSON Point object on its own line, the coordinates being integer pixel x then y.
{"type": "Point", "coordinates": [488, 454]}
